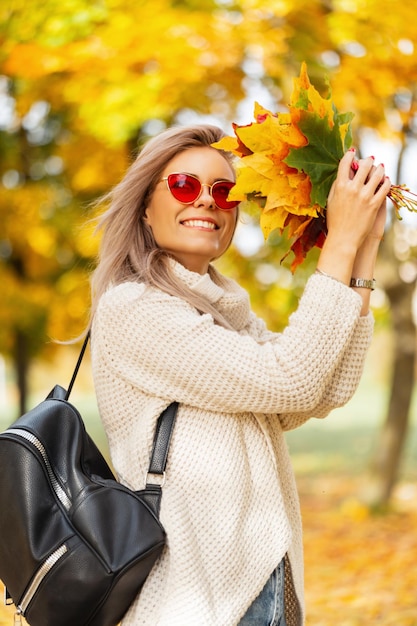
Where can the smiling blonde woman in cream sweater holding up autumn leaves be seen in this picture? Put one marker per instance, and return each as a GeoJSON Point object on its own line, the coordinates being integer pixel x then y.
{"type": "Point", "coordinates": [167, 326]}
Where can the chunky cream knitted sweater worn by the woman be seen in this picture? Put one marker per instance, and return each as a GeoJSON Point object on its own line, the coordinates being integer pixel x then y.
{"type": "Point", "coordinates": [229, 506]}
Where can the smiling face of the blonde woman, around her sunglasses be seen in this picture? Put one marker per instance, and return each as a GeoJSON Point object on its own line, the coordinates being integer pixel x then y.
{"type": "Point", "coordinates": [196, 233]}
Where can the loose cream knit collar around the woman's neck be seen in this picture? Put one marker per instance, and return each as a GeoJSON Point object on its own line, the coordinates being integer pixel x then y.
{"type": "Point", "coordinates": [224, 293]}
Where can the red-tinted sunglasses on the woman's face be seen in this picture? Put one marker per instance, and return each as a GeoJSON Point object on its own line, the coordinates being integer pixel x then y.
{"type": "Point", "coordinates": [187, 188]}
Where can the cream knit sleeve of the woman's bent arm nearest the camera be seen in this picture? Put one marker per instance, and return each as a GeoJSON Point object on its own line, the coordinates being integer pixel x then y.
{"type": "Point", "coordinates": [160, 344]}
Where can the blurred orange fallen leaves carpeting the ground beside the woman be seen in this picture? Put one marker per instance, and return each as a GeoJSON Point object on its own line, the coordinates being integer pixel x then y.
{"type": "Point", "coordinates": [360, 568]}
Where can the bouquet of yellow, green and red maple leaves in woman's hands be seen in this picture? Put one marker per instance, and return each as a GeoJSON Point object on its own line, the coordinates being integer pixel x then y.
{"type": "Point", "coordinates": [288, 162]}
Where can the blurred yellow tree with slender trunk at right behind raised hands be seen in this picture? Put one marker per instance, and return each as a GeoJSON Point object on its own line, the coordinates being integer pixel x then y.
{"type": "Point", "coordinates": [371, 59]}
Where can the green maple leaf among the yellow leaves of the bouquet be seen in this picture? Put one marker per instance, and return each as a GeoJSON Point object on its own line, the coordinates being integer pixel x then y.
{"type": "Point", "coordinates": [320, 158]}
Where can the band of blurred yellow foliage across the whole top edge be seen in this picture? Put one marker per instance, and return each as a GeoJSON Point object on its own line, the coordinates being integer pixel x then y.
{"type": "Point", "coordinates": [120, 63]}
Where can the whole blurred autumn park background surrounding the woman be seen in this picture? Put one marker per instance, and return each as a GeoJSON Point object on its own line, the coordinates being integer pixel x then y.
{"type": "Point", "coordinates": [83, 83]}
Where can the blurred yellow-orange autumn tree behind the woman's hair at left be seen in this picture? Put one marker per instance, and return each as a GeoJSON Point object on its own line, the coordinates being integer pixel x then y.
{"type": "Point", "coordinates": [82, 84]}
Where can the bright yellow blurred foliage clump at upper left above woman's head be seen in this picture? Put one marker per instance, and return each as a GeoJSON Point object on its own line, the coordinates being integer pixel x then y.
{"type": "Point", "coordinates": [126, 64]}
